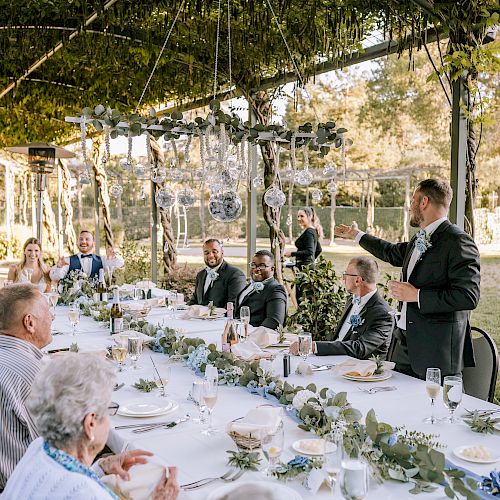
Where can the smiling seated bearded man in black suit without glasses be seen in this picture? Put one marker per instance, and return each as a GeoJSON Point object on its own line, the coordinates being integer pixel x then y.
{"type": "Point", "coordinates": [219, 282]}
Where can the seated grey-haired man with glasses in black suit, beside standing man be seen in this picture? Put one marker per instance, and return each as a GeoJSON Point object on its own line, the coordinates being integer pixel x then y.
{"type": "Point", "coordinates": [365, 328]}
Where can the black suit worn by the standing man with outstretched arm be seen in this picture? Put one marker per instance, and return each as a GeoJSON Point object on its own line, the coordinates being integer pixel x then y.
{"type": "Point", "coordinates": [448, 277]}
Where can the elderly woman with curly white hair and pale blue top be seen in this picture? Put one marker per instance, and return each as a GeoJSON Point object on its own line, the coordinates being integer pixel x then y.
{"type": "Point", "coordinates": [70, 402]}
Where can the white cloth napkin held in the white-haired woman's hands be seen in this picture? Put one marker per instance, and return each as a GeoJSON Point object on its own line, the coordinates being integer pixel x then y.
{"type": "Point", "coordinates": [143, 481]}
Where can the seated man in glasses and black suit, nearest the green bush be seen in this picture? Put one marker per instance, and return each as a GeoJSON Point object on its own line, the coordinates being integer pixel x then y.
{"type": "Point", "coordinates": [265, 297]}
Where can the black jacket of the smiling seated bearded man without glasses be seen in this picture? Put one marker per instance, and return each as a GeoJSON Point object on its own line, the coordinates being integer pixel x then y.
{"type": "Point", "coordinates": [224, 289]}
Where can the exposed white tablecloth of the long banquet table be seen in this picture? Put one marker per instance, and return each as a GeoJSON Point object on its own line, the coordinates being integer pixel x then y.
{"type": "Point", "coordinates": [198, 456]}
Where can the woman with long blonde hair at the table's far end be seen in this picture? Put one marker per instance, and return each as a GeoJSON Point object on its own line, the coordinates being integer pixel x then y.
{"type": "Point", "coordinates": [32, 268]}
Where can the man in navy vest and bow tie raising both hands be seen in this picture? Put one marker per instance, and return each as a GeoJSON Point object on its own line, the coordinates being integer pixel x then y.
{"type": "Point", "coordinates": [85, 260]}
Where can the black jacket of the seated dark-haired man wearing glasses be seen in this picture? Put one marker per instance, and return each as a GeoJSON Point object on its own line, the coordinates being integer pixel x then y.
{"type": "Point", "coordinates": [267, 307]}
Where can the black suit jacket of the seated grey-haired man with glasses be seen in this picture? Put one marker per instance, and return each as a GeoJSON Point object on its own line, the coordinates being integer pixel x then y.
{"type": "Point", "coordinates": [373, 337]}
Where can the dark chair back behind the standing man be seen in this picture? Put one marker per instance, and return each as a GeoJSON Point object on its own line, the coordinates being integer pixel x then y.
{"type": "Point", "coordinates": [479, 381]}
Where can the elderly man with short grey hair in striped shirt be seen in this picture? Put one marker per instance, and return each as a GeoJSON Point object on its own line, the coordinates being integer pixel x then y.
{"type": "Point", "coordinates": [25, 324]}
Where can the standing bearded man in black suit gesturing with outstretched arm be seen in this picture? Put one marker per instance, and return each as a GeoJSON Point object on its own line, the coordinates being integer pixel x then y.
{"type": "Point", "coordinates": [439, 286]}
